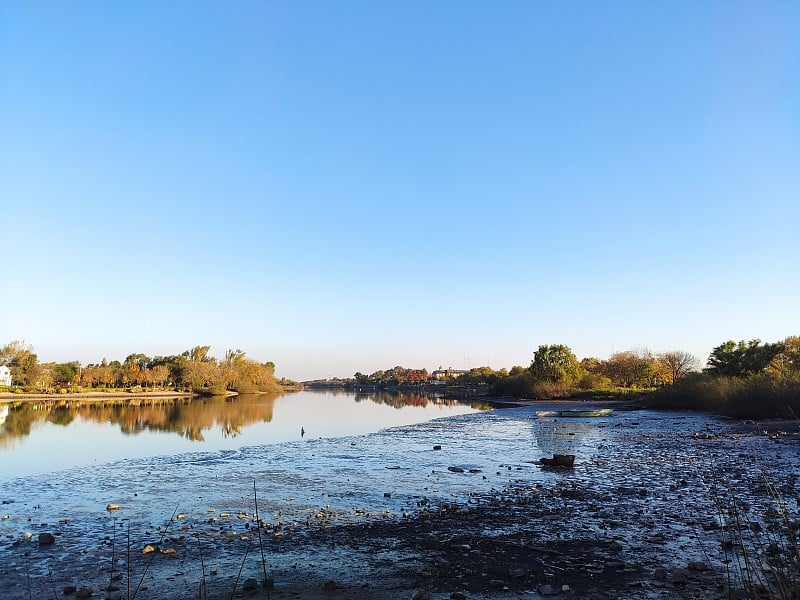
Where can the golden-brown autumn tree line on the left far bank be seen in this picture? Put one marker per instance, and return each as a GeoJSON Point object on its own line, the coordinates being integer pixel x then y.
{"type": "Point", "coordinates": [194, 369]}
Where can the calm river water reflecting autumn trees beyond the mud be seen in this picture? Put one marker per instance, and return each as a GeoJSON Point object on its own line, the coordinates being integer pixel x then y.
{"type": "Point", "coordinates": [39, 437]}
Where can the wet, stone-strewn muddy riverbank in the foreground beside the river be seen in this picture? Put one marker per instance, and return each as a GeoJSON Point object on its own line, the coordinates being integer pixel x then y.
{"type": "Point", "coordinates": [642, 514]}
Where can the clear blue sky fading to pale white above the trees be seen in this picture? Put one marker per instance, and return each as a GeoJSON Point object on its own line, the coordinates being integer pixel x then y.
{"type": "Point", "coordinates": [343, 186]}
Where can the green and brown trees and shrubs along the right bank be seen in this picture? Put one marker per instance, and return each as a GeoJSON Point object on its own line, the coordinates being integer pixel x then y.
{"type": "Point", "coordinates": [744, 378]}
